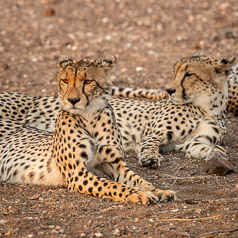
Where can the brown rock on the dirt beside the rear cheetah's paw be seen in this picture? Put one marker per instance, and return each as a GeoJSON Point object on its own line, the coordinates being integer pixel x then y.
{"type": "Point", "coordinates": [218, 166]}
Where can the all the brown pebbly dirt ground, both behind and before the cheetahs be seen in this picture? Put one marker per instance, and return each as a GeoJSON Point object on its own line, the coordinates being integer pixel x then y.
{"type": "Point", "coordinates": [148, 37]}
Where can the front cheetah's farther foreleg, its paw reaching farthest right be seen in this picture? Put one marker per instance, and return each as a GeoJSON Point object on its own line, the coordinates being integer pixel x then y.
{"type": "Point", "coordinates": [114, 166]}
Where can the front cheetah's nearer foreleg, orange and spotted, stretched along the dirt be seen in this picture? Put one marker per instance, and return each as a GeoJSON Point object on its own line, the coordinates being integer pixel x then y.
{"type": "Point", "coordinates": [78, 178]}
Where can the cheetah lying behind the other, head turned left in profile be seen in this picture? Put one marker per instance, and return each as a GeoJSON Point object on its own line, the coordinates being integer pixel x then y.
{"type": "Point", "coordinates": [191, 120]}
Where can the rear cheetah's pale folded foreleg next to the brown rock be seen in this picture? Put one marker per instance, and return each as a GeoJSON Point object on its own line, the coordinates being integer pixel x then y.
{"type": "Point", "coordinates": [200, 149]}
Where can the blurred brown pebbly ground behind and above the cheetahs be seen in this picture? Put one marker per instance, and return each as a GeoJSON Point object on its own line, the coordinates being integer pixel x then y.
{"type": "Point", "coordinates": [147, 36]}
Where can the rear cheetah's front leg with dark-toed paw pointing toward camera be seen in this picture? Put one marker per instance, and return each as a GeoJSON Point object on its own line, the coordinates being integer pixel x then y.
{"type": "Point", "coordinates": [148, 151]}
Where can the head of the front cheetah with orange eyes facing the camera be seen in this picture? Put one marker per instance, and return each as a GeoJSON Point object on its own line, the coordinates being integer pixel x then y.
{"type": "Point", "coordinates": [84, 85]}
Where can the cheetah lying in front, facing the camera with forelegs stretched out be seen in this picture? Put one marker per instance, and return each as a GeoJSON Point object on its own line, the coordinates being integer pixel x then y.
{"type": "Point", "coordinates": [86, 135]}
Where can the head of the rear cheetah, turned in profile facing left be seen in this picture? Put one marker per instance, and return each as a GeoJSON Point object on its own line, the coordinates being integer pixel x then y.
{"type": "Point", "coordinates": [199, 80]}
